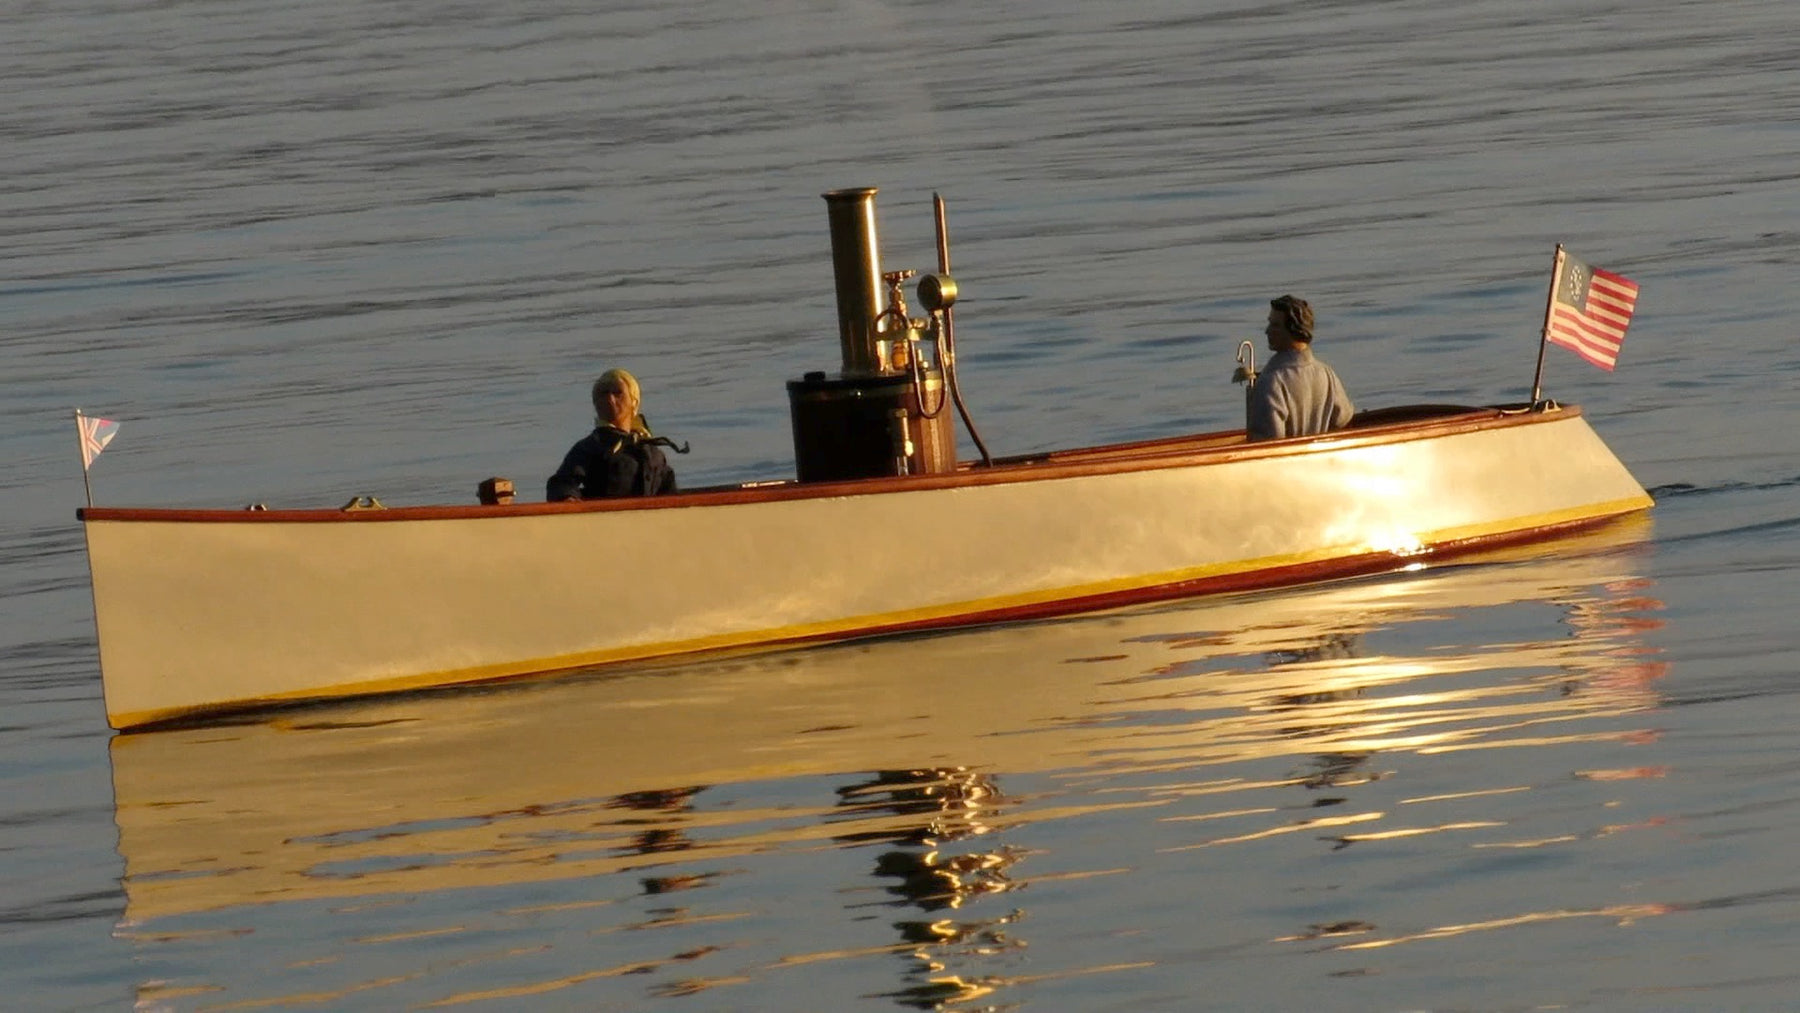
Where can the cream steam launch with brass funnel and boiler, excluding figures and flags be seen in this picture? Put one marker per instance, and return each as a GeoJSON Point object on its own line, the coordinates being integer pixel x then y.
{"type": "Point", "coordinates": [204, 613]}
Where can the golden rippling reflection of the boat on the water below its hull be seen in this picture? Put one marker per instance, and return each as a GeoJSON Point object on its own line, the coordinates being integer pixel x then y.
{"type": "Point", "coordinates": [865, 802]}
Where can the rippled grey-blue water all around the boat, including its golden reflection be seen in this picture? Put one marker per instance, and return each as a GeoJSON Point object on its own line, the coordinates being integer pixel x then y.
{"type": "Point", "coordinates": [381, 249]}
